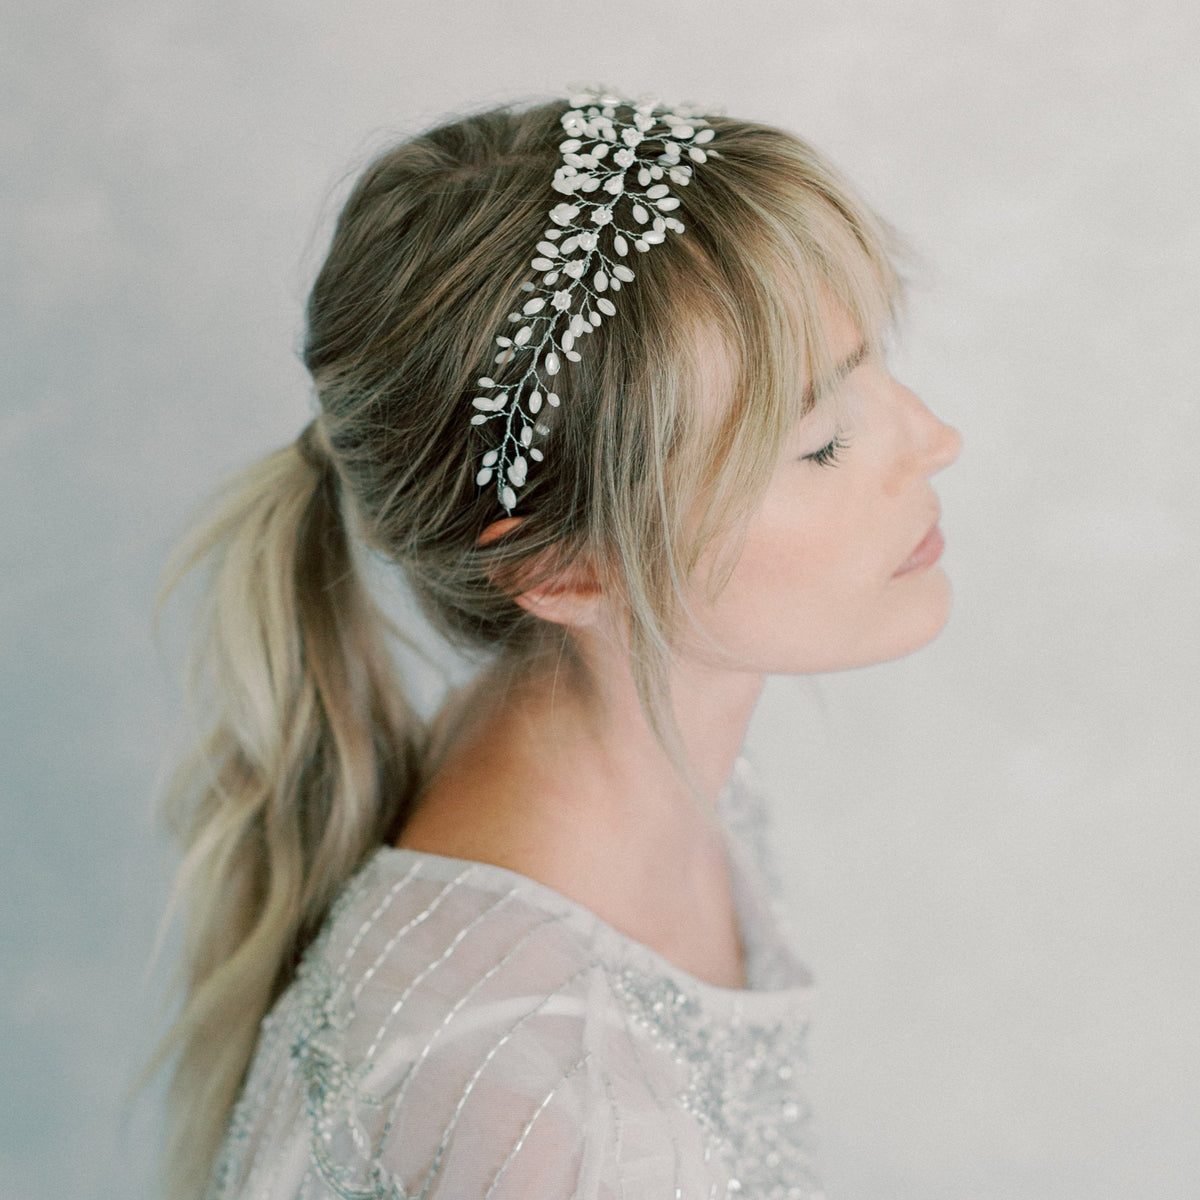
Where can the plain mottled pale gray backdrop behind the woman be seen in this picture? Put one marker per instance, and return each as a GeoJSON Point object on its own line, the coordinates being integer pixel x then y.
{"type": "Point", "coordinates": [992, 849]}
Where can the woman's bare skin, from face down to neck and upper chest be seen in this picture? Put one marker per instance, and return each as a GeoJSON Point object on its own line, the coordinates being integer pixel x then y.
{"type": "Point", "coordinates": [573, 790]}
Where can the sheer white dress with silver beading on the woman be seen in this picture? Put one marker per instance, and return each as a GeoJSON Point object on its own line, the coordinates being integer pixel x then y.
{"type": "Point", "coordinates": [461, 1033]}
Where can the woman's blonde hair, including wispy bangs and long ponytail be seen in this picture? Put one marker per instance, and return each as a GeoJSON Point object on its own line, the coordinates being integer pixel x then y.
{"type": "Point", "coordinates": [311, 754]}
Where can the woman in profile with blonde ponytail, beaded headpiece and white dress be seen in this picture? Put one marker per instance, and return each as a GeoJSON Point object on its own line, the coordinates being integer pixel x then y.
{"type": "Point", "coordinates": [605, 381]}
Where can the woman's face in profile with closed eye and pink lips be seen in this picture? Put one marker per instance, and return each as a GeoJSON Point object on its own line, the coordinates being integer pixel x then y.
{"type": "Point", "coordinates": [839, 563]}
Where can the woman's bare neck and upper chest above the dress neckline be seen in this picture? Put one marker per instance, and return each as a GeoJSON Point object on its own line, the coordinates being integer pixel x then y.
{"type": "Point", "coordinates": [575, 791]}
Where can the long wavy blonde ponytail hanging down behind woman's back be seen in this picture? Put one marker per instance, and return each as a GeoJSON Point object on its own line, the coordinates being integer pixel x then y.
{"type": "Point", "coordinates": [307, 763]}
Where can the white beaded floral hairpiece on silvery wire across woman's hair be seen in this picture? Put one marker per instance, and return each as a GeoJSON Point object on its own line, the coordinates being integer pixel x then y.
{"type": "Point", "coordinates": [619, 176]}
